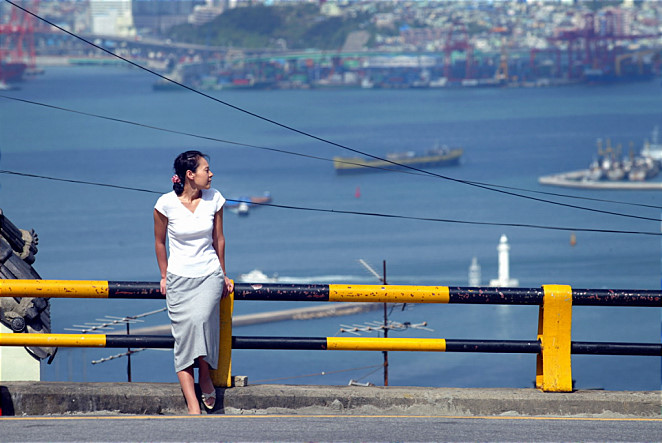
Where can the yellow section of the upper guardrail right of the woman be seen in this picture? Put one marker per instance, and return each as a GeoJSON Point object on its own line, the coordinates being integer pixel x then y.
{"type": "Point", "coordinates": [389, 294]}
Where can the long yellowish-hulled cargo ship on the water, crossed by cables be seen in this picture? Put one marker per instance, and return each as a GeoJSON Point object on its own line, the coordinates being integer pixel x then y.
{"type": "Point", "coordinates": [438, 156]}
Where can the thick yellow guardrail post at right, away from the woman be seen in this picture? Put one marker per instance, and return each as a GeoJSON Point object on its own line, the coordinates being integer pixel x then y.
{"type": "Point", "coordinates": [553, 367]}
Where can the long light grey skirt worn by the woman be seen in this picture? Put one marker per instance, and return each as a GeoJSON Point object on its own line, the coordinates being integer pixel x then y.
{"type": "Point", "coordinates": [194, 311]}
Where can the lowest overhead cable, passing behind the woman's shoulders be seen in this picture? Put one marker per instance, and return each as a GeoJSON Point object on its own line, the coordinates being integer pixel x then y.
{"type": "Point", "coordinates": [368, 214]}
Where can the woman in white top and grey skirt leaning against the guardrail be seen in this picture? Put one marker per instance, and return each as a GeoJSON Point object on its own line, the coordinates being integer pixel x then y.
{"type": "Point", "coordinates": [193, 276]}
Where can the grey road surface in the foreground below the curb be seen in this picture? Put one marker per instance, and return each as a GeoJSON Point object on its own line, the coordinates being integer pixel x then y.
{"type": "Point", "coordinates": [325, 428]}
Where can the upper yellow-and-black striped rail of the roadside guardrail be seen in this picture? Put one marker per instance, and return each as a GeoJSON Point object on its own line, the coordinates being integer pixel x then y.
{"type": "Point", "coordinates": [335, 293]}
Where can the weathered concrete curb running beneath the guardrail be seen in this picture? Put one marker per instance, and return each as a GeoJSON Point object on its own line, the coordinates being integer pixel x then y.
{"type": "Point", "coordinates": [57, 398]}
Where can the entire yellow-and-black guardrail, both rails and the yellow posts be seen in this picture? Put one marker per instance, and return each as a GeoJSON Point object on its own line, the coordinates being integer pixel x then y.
{"type": "Point", "coordinates": [553, 344]}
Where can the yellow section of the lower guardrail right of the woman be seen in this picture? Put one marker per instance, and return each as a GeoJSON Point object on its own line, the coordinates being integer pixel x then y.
{"type": "Point", "coordinates": [385, 344]}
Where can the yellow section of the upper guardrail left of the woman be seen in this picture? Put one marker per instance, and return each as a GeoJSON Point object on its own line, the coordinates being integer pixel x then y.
{"type": "Point", "coordinates": [54, 288]}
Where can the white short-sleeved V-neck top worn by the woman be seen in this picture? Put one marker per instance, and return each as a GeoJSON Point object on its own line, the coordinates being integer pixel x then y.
{"type": "Point", "coordinates": [192, 252]}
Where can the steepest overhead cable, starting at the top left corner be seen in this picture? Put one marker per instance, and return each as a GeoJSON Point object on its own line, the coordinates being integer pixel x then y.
{"type": "Point", "coordinates": [304, 133]}
